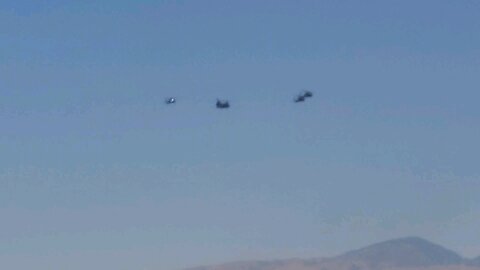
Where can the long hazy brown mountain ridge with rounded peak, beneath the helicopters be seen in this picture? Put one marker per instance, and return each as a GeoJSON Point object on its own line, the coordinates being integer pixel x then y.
{"type": "Point", "coordinates": [411, 253]}
